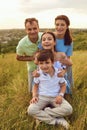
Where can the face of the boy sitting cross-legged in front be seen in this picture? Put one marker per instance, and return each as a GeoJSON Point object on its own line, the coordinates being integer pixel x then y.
{"type": "Point", "coordinates": [46, 66]}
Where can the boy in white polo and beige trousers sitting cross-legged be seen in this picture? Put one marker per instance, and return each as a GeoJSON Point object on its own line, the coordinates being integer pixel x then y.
{"type": "Point", "coordinates": [49, 89]}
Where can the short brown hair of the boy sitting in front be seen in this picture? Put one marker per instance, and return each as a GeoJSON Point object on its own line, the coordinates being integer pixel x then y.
{"type": "Point", "coordinates": [44, 55]}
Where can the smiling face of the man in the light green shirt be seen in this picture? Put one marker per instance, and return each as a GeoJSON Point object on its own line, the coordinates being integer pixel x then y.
{"type": "Point", "coordinates": [32, 30]}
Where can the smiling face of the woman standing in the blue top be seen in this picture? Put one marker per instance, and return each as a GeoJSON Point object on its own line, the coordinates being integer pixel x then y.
{"type": "Point", "coordinates": [60, 27]}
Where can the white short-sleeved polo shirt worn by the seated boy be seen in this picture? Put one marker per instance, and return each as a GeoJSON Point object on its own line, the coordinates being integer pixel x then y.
{"type": "Point", "coordinates": [49, 86]}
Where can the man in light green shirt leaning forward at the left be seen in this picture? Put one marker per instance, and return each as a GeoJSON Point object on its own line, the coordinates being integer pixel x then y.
{"type": "Point", "coordinates": [28, 45]}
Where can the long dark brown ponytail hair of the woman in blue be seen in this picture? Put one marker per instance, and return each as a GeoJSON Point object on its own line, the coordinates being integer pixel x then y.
{"type": "Point", "coordinates": [67, 37]}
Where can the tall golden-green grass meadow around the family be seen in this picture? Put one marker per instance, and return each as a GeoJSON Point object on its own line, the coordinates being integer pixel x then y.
{"type": "Point", "coordinates": [14, 96]}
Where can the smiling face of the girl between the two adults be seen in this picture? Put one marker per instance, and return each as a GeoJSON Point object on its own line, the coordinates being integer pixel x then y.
{"type": "Point", "coordinates": [48, 41]}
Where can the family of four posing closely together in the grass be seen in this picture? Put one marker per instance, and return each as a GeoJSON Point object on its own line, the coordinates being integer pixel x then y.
{"type": "Point", "coordinates": [49, 70]}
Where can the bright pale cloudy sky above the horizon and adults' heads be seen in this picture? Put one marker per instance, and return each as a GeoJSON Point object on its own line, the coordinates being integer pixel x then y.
{"type": "Point", "coordinates": [14, 12]}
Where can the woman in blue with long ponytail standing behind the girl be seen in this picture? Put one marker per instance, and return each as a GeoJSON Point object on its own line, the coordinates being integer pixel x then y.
{"type": "Point", "coordinates": [64, 43]}
